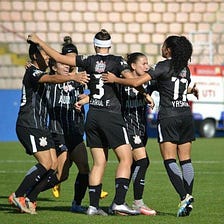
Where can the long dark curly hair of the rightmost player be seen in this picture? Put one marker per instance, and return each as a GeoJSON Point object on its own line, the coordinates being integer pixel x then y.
{"type": "Point", "coordinates": [181, 51]}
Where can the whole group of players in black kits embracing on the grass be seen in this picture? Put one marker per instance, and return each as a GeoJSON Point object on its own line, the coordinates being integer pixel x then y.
{"type": "Point", "coordinates": [119, 93]}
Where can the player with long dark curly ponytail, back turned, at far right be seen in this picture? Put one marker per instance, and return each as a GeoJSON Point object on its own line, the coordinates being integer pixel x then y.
{"type": "Point", "coordinates": [175, 120]}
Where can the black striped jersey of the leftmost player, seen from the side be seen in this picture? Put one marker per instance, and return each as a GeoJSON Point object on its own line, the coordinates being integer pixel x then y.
{"type": "Point", "coordinates": [33, 107]}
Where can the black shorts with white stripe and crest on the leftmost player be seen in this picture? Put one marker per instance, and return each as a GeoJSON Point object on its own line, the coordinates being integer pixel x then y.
{"type": "Point", "coordinates": [34, 140]}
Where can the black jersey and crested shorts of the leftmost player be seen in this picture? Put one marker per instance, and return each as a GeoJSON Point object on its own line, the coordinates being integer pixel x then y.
{"type": "Point", "coordinates": [31, 124]}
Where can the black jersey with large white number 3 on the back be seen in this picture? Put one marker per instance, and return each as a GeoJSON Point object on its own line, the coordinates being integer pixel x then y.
{"type": "Point", "coordinates": [103, 96]}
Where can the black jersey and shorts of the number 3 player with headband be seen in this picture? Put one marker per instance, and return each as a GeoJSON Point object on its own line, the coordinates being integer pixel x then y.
{"type": "Point", "coordinates": [105, 126]}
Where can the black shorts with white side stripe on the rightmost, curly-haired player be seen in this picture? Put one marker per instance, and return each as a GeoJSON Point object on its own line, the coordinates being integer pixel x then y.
{"type": "Point", "coordinates": [178, 130]}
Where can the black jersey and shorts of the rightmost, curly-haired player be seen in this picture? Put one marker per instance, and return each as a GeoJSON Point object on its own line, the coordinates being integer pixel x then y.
{"type": "Point", "coordinates": [175, 120]}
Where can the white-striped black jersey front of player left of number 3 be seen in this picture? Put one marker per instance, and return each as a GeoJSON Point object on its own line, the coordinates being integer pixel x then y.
{"type": "Point", "coordinates": [63, 116]}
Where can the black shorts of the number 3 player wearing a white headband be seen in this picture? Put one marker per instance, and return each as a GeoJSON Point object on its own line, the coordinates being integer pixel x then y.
{"type": "Point", "coordinates": [105, 130]}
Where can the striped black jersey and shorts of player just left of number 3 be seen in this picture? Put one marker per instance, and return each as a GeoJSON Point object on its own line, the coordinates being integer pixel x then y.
{"type": "Point", "coordinates": [66, 124]}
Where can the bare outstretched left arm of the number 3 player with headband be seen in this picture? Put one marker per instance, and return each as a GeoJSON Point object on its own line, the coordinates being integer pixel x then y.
{"type": "Point", "coordinates": [65, 59]}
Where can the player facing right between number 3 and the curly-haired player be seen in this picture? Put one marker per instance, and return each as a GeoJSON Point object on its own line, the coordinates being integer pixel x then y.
{"type": "Point", "coordinates": [134, 107]}
